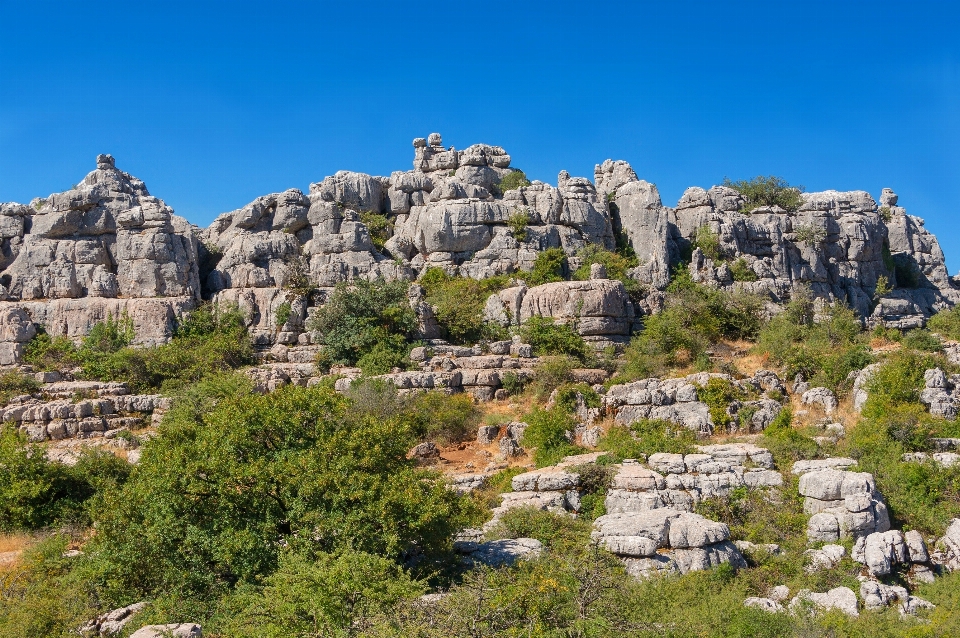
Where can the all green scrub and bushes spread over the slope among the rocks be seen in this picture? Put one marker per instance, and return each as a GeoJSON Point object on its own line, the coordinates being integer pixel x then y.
{"type": "Point", "coordinates": [298, 513]}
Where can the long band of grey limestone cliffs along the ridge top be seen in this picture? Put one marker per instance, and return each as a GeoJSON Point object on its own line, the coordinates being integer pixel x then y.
{"type": "Point", "coordinates": [107, 246]}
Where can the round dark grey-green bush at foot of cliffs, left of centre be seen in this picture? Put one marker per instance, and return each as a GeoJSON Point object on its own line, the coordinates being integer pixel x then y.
{"type": "Point", "coordinates": [366, 318]}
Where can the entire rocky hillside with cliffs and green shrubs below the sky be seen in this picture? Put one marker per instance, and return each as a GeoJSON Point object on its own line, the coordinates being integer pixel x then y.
{"type": "Point", "coordinates": [452, 402]}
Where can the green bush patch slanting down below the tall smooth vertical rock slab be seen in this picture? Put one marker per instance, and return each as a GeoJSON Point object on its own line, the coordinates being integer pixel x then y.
{"type": "Point", "coordinates": [693, 318]}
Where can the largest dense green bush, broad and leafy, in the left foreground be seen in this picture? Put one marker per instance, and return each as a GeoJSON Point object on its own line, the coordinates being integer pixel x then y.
{"type": "Point", "coordinates": [234, 476]}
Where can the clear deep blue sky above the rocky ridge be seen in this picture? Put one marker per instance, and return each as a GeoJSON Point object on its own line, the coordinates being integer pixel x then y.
{"type": "Point", "coordinates": [215, 103]}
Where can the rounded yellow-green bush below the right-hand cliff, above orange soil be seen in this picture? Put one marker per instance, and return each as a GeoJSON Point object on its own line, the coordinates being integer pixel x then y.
{"type": "Point", "coordinates": [824, 351]}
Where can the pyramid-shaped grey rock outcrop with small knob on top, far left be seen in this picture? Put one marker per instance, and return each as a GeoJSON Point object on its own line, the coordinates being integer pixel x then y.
{"type": "Point", "coordinates": [104, 248]}
